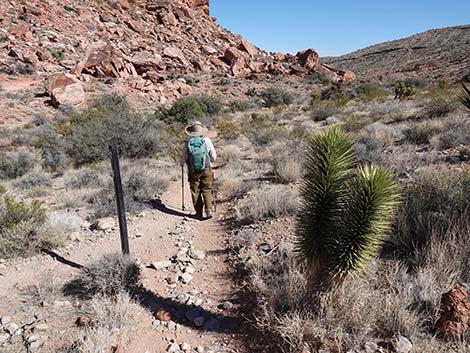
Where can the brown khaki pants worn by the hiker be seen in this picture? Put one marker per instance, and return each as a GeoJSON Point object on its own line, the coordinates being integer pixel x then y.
{"type": "Point", "coordinates": [201, 190]}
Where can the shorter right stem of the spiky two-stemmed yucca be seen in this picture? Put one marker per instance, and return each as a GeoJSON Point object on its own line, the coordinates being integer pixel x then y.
{"type": "Point", "coordinates": [373, 196]}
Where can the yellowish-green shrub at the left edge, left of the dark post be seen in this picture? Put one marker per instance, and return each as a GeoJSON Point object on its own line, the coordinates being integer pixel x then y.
{"type": "Point", "coordinates": [23, 229]}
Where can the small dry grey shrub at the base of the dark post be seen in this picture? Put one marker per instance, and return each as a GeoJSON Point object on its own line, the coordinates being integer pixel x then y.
{"type": "Point", "coordinates": [109, 276]}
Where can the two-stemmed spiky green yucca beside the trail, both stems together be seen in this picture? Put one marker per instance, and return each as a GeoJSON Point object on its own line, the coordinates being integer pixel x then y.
{"type": "Point", "coordinates": [346, 210]}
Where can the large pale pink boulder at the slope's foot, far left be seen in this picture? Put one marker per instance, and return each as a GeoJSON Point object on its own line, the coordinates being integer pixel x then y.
{"type": "Point", "coordinates": [65, 89]}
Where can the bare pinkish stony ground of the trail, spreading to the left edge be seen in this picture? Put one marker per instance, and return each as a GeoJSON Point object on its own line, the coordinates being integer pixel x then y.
{"type": "Point", "coordinates": [188, 280]}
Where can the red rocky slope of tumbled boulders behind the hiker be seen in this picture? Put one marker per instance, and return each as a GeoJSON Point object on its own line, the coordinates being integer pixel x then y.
{"type": "Point", "coordinates": [140, 46]}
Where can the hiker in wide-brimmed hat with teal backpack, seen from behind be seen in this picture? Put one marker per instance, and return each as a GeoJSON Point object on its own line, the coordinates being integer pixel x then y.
{"type": "Point", "coordinates": [199, 154]}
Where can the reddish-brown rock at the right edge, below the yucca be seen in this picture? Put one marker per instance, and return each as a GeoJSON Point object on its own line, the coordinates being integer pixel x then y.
{"type": "Point", "coordinates": [455, 313]}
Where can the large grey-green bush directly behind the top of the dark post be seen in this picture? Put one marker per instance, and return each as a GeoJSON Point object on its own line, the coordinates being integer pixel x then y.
{"type": "Point", "coordinates": [110, 120]}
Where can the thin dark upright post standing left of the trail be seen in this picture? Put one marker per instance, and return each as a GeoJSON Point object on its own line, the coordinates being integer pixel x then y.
{"type": "Point", "coordinates": [121, 208]}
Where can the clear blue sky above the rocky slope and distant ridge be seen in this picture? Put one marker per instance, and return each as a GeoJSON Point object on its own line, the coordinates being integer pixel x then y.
{"type": "Point", "coordinates": [334, 27]}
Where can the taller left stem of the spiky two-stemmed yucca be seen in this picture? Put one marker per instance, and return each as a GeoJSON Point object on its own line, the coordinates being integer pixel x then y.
{"type": "Point", "coordinates": [329, 163]}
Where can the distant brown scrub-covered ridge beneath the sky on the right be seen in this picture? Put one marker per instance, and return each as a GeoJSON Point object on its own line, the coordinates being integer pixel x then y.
{"type": "Point", "coordinates": [437, 54]}
